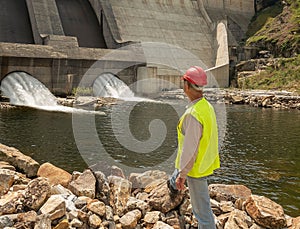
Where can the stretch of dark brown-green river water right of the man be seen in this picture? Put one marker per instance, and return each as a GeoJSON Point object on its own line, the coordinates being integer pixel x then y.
{"type": "Point", "coordinates": [261, 149]}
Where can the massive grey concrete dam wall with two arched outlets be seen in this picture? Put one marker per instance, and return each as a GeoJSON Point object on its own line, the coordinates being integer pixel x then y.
{"type": "Point", "coordinates": [67, 43]}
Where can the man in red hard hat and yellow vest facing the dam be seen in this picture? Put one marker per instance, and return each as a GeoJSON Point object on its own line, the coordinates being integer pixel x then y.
{"type": "Point", "coordinates": [197, 155]}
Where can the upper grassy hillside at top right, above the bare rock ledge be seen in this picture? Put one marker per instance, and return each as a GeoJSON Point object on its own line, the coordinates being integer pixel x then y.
{"type": "Point", "coordinates": [277, 28]}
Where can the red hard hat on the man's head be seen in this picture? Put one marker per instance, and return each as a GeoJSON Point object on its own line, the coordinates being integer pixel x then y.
{"type": "Point", "coordinates": [196, 75]}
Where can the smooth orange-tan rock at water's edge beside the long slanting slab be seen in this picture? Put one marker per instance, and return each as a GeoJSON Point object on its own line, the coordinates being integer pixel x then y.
{"type": "Point", "coordinates": [54, 174]}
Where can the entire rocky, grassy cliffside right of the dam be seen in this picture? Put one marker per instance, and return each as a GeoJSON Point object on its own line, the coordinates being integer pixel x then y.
{"type": "Point", "coordinates": [275, 33]}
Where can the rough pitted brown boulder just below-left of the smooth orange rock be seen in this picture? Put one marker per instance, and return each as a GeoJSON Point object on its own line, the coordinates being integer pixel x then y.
{"type": "Point", "coordinates": [37, 192]}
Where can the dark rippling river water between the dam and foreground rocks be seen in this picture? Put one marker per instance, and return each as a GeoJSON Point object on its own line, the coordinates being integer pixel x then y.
{"type": "Point", "coordinates": [260, 149]}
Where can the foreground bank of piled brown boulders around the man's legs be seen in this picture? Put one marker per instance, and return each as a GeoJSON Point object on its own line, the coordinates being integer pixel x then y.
{"type": "Point", "coordinates": [45, 196]}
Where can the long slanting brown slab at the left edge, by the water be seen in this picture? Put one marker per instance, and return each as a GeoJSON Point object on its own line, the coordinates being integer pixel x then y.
{"type": "Point", "coordinates": [20, 161]}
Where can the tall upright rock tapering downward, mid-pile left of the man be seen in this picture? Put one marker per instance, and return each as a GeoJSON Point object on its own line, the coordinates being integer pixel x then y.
{"type": "Point", "coordinates": [120, 193]}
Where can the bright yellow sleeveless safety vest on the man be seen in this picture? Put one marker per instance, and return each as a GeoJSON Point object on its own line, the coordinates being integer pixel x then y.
{"type": "Point", "coordinates": [207, 159]}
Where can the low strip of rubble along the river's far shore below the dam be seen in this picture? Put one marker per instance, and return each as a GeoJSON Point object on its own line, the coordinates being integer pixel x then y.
{"type": "Point", "coordinates": [256, 98]}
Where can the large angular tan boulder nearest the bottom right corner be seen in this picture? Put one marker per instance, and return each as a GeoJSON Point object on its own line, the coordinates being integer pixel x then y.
{"type": "Point", "coordinates": [265, 212]}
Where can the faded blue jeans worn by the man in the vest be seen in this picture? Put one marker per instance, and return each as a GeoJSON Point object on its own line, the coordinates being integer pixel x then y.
{"type": "Point", "coordinates": [200, 200]}
